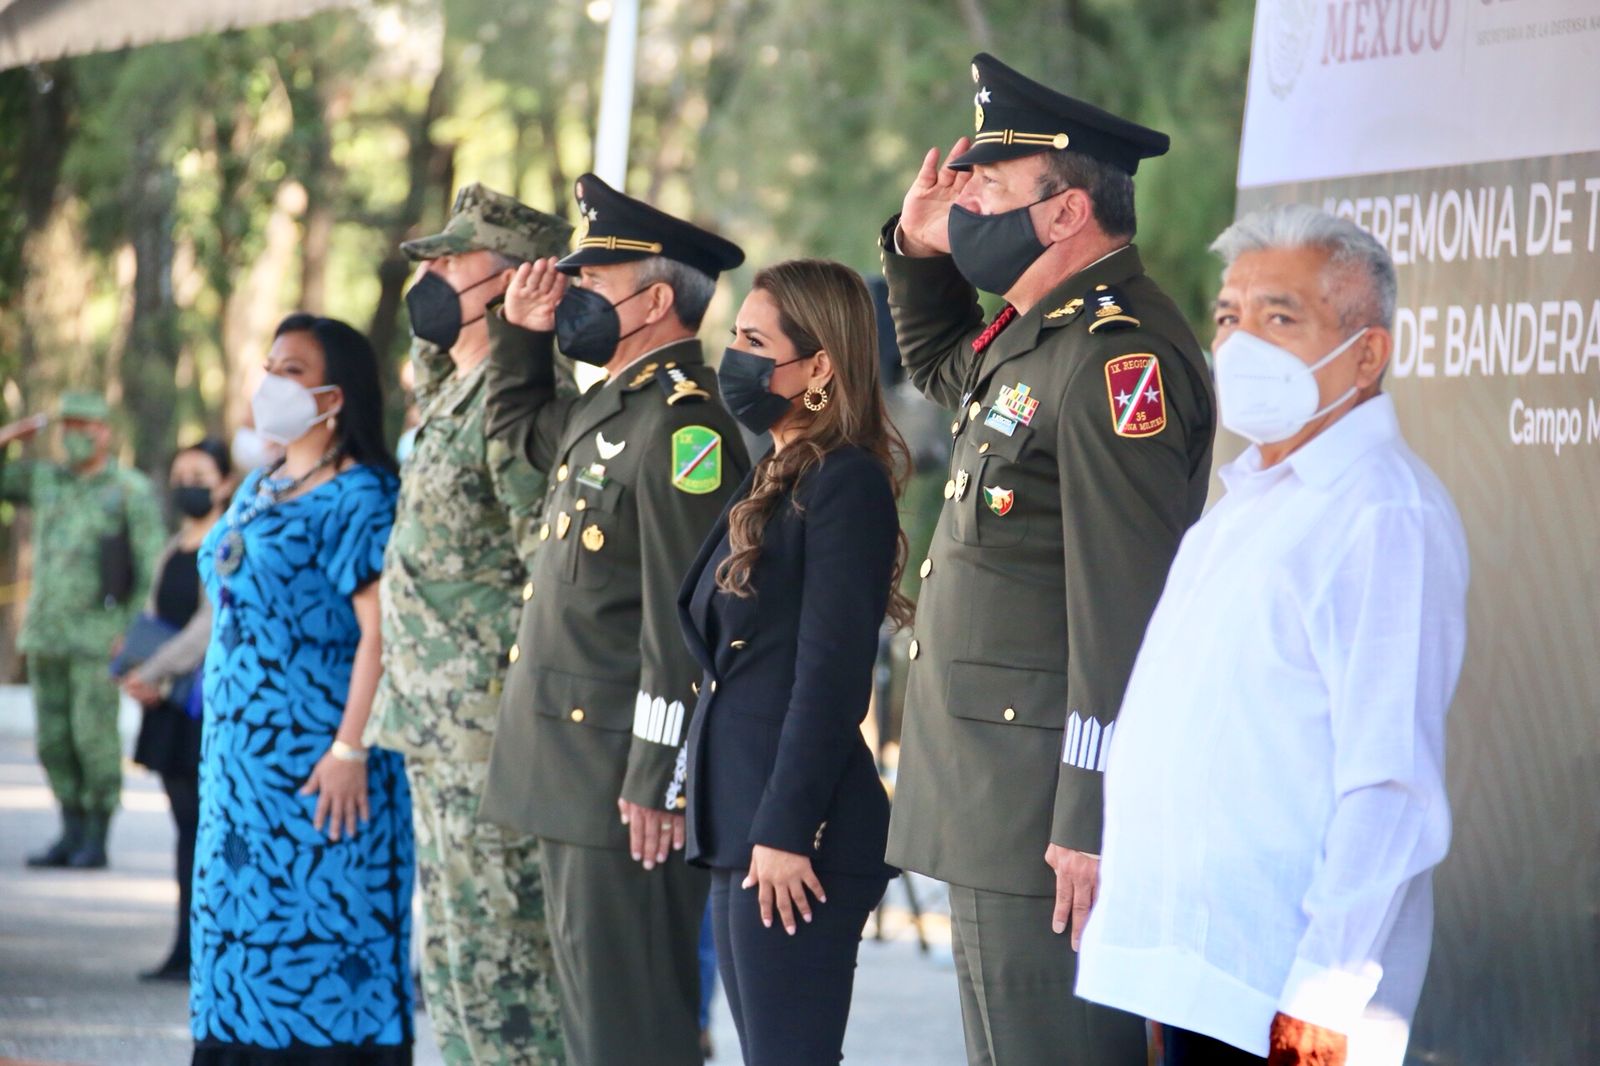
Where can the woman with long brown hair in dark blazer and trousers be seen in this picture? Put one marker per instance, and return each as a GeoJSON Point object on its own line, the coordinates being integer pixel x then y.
{"type": "Point", "coordinates": [783, 611]}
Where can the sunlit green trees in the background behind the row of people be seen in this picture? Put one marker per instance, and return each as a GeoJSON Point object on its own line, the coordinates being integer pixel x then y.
{"type": "Point", "coordinates": [793, 126]}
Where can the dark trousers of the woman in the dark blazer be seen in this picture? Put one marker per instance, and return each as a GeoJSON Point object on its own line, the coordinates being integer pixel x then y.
{"type": "Point", "coordinates": [791, 995]}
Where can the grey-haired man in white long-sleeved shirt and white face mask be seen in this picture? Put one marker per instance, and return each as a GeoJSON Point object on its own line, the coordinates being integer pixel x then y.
{"type": "Point", "coordinates": [1274, 796]}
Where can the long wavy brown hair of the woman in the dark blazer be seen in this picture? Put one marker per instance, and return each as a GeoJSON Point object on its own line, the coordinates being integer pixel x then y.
{"type": "Point", "coordinates": [822, 307]}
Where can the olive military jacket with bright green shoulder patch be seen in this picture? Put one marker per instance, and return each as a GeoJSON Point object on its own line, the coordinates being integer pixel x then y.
{"type": "Point", "coordinates": [601, 684]}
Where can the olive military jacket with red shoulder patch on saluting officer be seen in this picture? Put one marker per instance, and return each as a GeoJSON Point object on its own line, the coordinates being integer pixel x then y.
{"type": "Point", "coordinates": [1079, 462]}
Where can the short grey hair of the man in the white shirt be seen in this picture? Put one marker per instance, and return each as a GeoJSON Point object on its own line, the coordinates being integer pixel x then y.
{"type": "Point", "coordinates": [1351, 252]}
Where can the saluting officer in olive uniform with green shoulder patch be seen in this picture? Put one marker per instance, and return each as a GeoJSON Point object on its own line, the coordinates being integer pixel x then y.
{"type": "Point", "coordinates": [590, 747]}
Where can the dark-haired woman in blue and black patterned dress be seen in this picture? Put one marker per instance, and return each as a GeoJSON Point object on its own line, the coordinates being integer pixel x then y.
{"type": "Point", "coordinates": [303, 867]}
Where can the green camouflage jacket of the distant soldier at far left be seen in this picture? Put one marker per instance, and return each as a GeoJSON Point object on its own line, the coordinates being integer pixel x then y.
{"type": "Point", "coordinates": [66, 612]}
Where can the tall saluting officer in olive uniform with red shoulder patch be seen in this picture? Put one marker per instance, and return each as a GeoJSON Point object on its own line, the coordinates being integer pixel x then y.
{"type": "Point", "coordinates": [1082, 444]}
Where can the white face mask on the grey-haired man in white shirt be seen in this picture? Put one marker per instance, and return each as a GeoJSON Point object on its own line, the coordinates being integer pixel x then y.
{"type": "Point", "coordinates": [1266, 395]}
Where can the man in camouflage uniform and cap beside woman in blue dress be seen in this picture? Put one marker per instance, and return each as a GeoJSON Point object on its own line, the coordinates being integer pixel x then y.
{"type": "Point", "coordinates": [455, 577]}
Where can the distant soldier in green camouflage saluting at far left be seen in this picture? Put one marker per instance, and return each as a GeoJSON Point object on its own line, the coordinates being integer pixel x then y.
{"type": "Point", "coordinates": [97, 537]}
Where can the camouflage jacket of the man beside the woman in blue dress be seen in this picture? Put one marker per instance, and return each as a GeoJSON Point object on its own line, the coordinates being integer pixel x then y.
{"type": "Point", "coordinates": [454, 574]}
